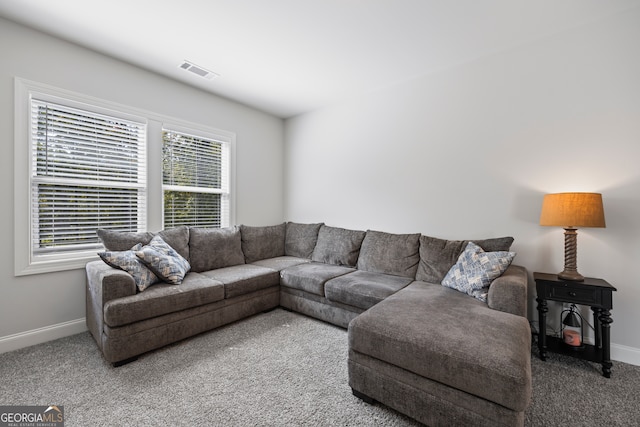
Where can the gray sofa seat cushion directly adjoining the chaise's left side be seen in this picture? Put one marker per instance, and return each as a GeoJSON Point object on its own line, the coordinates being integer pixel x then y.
{"type": "Point", "coordinates": [363, 289]}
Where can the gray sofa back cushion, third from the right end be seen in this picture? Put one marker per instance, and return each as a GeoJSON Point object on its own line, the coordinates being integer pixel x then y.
{"type": "Point", "coordinates": [338, 246]}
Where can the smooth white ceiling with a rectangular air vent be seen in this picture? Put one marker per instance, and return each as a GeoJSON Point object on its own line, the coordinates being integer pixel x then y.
{"type": "Point", "coordinates": [287, 57]}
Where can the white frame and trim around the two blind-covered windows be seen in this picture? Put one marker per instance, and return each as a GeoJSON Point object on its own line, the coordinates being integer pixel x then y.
{"type": "Point", "coordinates": [25, 263]}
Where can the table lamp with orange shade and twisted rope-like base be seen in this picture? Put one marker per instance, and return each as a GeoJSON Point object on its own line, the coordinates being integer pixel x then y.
{"type": "Point", "coordinates": [572, 211]}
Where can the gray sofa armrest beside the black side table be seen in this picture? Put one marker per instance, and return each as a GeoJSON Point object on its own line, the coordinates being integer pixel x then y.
{"type": "Point", "coordinates": [508, 292]}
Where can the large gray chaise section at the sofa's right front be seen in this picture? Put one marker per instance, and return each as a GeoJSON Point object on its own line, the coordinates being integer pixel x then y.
{"type": "Point", "coordinates": [443, 358]}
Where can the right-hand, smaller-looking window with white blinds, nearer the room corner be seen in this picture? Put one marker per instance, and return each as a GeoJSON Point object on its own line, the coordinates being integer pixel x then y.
{"type": "Point", "coordinates": [195, 177]}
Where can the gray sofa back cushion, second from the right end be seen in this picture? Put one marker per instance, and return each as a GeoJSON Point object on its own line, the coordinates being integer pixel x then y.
{"type": "Point", "coordinates": [396, 254]}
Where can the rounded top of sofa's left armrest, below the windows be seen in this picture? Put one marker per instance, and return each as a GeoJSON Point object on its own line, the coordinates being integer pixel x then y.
{"type": "Point", "coordinates": [105, 283]}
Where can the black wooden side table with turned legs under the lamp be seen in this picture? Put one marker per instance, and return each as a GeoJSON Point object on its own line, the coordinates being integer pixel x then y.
{"type": "Point", "coordinates": [596, 293]}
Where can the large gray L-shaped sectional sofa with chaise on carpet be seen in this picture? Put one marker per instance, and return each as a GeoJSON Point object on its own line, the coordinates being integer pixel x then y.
{"type": "Point", "coordinates": [434, 353]}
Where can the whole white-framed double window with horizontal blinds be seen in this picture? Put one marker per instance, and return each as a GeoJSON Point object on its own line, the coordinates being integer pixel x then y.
{"type": "Point", "coordinates": [83, 163]}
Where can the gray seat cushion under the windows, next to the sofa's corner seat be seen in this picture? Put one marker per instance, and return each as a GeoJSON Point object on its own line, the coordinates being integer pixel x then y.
{"type": "Point", "coordinates": [244, 279]}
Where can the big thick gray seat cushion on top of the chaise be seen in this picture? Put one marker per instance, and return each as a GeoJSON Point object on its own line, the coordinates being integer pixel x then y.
{"type": "Point", "coordinates": [451, 338]}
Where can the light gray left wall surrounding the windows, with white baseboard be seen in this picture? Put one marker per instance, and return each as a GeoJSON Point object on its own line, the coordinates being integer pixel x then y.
{"type": "Point", "coordinates": [34, 308]}
